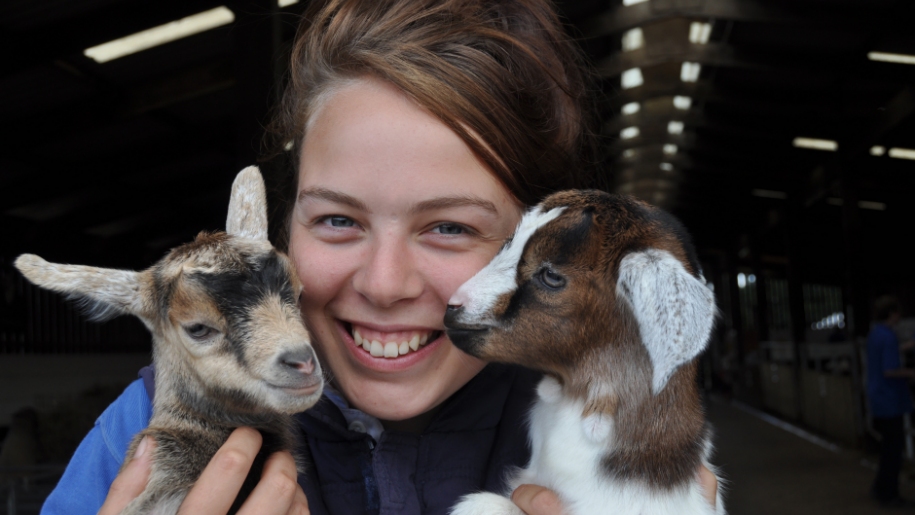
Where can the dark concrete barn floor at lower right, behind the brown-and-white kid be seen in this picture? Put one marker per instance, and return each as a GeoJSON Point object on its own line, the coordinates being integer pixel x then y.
{"type": "Point", "coordinates": [770, 470]}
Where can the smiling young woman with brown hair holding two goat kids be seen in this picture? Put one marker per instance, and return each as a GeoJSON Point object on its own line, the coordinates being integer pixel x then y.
{"type": "Point", "coordinates": [421, 129]}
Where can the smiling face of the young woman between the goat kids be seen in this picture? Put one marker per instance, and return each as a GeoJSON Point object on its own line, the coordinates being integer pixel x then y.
{"type": "Point", "coordinates": [393, 213]}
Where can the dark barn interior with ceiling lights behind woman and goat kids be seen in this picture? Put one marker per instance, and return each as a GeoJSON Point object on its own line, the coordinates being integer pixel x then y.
{"type": "Point", "coordinates": [781, 132]}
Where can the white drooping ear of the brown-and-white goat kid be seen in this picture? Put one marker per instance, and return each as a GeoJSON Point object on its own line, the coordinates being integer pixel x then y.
{"type": "Point", "coordinates": [675, 311]}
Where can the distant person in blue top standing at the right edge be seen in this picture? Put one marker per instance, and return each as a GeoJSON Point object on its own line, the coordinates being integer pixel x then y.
{"type": "Point", "coordinates": [889, 398]}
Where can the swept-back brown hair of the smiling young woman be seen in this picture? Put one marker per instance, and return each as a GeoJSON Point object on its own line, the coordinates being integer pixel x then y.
{"type": "Point", "coordinates": [504, 70]}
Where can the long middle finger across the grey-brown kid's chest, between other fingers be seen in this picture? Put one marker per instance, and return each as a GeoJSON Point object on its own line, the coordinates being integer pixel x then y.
{"type": "Point", "coordinates": [221, 480]}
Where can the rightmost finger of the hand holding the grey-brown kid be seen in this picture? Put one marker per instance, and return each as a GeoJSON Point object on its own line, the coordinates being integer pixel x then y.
{"type": "Point", "coordinates": [278, 492]}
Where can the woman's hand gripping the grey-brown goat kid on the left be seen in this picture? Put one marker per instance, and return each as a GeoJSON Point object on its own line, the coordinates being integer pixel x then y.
{"type": "Point", "coordinates": [278, 491]}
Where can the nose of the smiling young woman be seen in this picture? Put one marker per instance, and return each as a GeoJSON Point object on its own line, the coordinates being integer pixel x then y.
{"type": "Point", "coordinates": [389, 274]}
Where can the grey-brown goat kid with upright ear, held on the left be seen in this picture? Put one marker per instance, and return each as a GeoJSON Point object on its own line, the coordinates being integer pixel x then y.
{"type": "Point", "coordinates": [229, 345]}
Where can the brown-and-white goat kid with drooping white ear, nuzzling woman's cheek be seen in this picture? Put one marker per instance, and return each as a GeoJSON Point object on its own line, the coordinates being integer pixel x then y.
{"type": "Point", "coordinates": [603, 294]}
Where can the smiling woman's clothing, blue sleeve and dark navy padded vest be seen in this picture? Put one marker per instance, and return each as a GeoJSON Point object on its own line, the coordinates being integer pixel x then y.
{"type": "Point", "coordinates": [478, 436]}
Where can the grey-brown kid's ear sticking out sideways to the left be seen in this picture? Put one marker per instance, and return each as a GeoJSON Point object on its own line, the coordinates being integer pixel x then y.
{"type": "Point", "coordinates": [104, 293]}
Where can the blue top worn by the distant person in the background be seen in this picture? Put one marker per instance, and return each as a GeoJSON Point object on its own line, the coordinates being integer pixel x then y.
{"type": "Point", "coordinates": [888, 396]}
